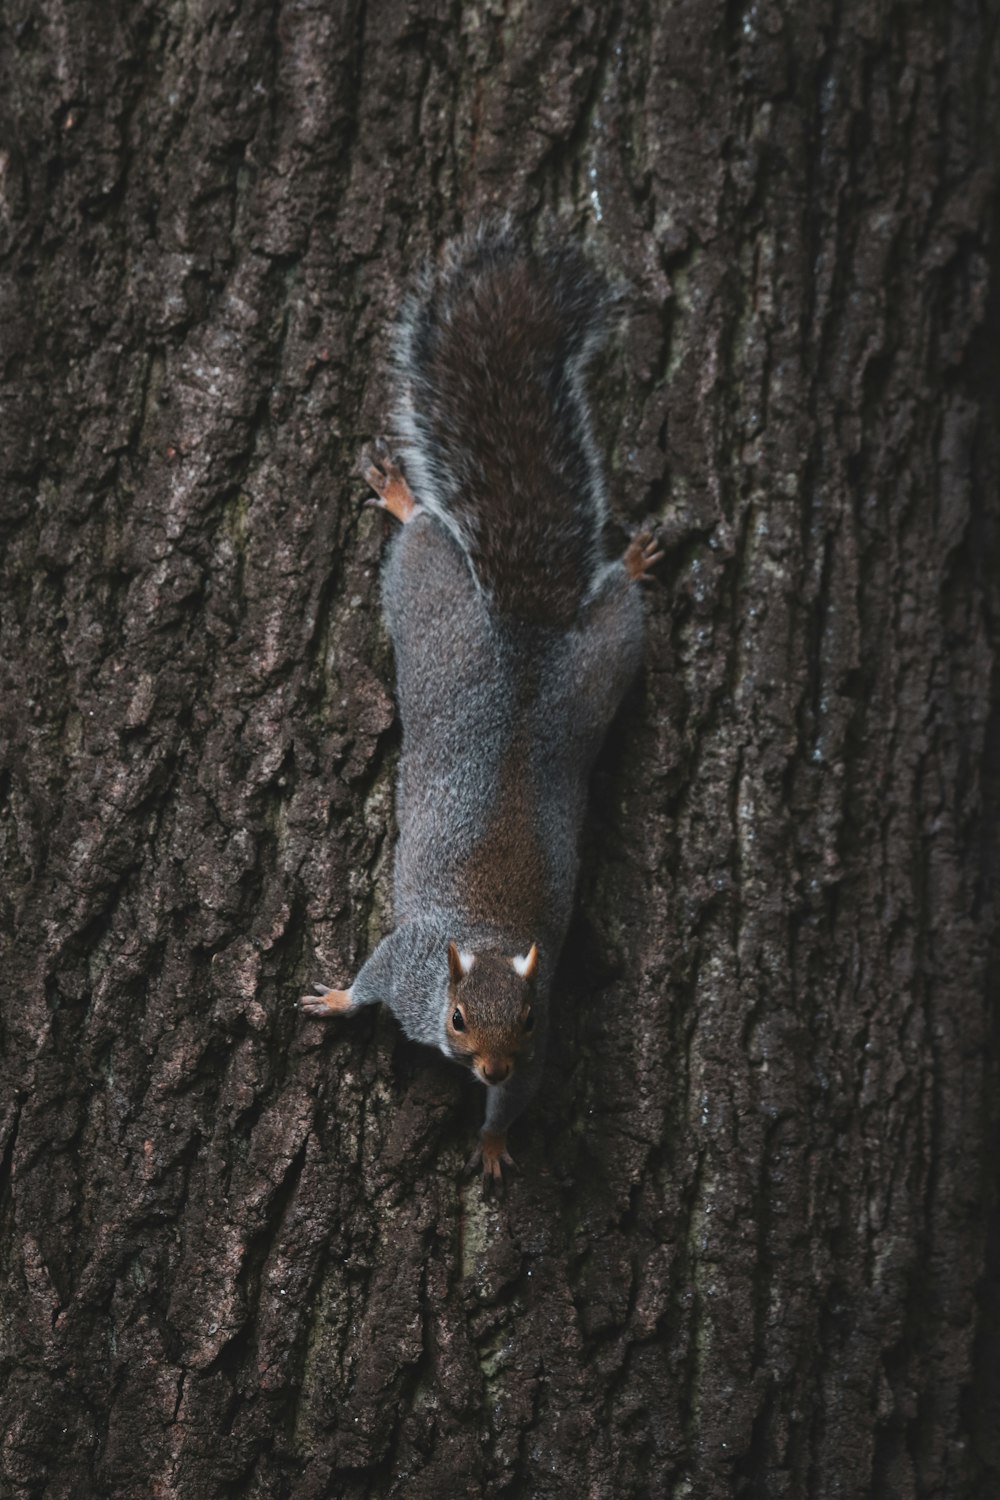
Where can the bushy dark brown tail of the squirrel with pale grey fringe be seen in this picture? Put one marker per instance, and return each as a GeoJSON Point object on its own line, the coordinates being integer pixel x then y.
{"type": "Point", "coordinates": [494, 418]}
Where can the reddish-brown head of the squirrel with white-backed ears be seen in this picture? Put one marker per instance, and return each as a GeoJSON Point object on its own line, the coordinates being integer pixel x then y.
{"type": "Point", "coordinates": [491, 1019]}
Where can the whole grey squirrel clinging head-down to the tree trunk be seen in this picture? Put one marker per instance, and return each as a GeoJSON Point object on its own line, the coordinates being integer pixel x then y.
{"type": "Point", "coordinates": [515, 640]}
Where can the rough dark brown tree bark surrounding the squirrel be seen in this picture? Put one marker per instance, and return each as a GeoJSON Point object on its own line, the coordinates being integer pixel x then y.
{"type": "Point", "coordinates": [750, 1249]}
